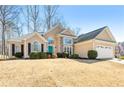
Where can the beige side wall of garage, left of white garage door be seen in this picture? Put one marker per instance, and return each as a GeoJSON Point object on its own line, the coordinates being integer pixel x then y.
{"type": "Point", "coordinates": [83, 48]}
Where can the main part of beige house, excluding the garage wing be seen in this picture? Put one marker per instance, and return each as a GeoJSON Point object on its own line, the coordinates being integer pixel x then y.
{"type": "Point", "coordinates": [57, 39]}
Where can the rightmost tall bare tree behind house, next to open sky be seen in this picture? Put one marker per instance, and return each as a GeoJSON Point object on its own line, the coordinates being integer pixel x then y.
{"type": "Point", "coordinates": [50, 15]}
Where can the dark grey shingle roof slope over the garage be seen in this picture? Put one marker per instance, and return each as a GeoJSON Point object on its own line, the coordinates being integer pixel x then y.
{"type": "Point", "coordinates": [90, 35]}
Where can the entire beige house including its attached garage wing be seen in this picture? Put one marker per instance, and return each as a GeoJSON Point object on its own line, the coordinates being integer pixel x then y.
{"type": "Point", "coordinates": [59, 40]}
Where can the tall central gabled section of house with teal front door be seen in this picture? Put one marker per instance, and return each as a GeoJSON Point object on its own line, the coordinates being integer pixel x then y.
{"type": "Point", "coordinates": [60, 40]}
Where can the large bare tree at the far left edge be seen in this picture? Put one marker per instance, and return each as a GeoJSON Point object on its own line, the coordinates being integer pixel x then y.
{"type": "Point", "coordinates": [7, 14]}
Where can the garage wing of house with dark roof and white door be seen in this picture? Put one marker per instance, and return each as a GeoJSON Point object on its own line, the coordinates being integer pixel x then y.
{"type": "Point", "coordinates": [100, 40]}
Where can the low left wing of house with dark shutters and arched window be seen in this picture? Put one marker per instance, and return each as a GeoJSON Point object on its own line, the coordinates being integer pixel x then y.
{"type": "Point", "coordinates": [32, 42]}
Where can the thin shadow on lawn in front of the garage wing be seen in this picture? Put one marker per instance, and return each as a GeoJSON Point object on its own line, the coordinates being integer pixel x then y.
{"type": "Point", "coordinates": [89, 61]}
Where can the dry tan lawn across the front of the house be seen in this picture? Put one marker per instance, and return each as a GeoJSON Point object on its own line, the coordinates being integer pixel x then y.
{"type": "Point", "coordinates": [60, 72]}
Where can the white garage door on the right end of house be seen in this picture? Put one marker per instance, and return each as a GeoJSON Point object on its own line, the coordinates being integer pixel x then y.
{"type": "Point", "coordinates": [104, 52]}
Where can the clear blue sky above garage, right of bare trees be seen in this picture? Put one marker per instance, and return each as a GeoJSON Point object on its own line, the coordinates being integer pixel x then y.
{"type": "Point", "coordinates": [89, 18]}
